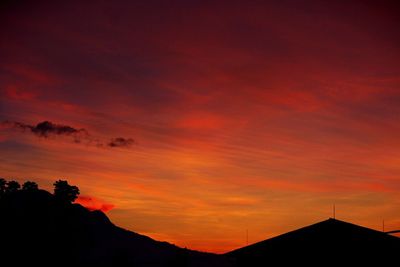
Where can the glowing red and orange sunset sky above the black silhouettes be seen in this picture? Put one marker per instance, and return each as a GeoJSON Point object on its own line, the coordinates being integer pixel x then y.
{"type": "Point", "coordinates": [194, 121]}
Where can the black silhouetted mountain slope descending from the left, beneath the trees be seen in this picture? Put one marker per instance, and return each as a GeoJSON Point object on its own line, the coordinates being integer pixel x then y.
{"type": "Point", "coordinates": [39, 230]}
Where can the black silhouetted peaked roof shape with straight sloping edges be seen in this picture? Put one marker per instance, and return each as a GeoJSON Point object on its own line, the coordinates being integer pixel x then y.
{"type": "Point", "coordinates": [328, 243]}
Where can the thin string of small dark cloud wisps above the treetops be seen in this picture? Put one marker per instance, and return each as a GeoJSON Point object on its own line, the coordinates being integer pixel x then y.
{"type": "Point", "coordinates": [47, 129]}
